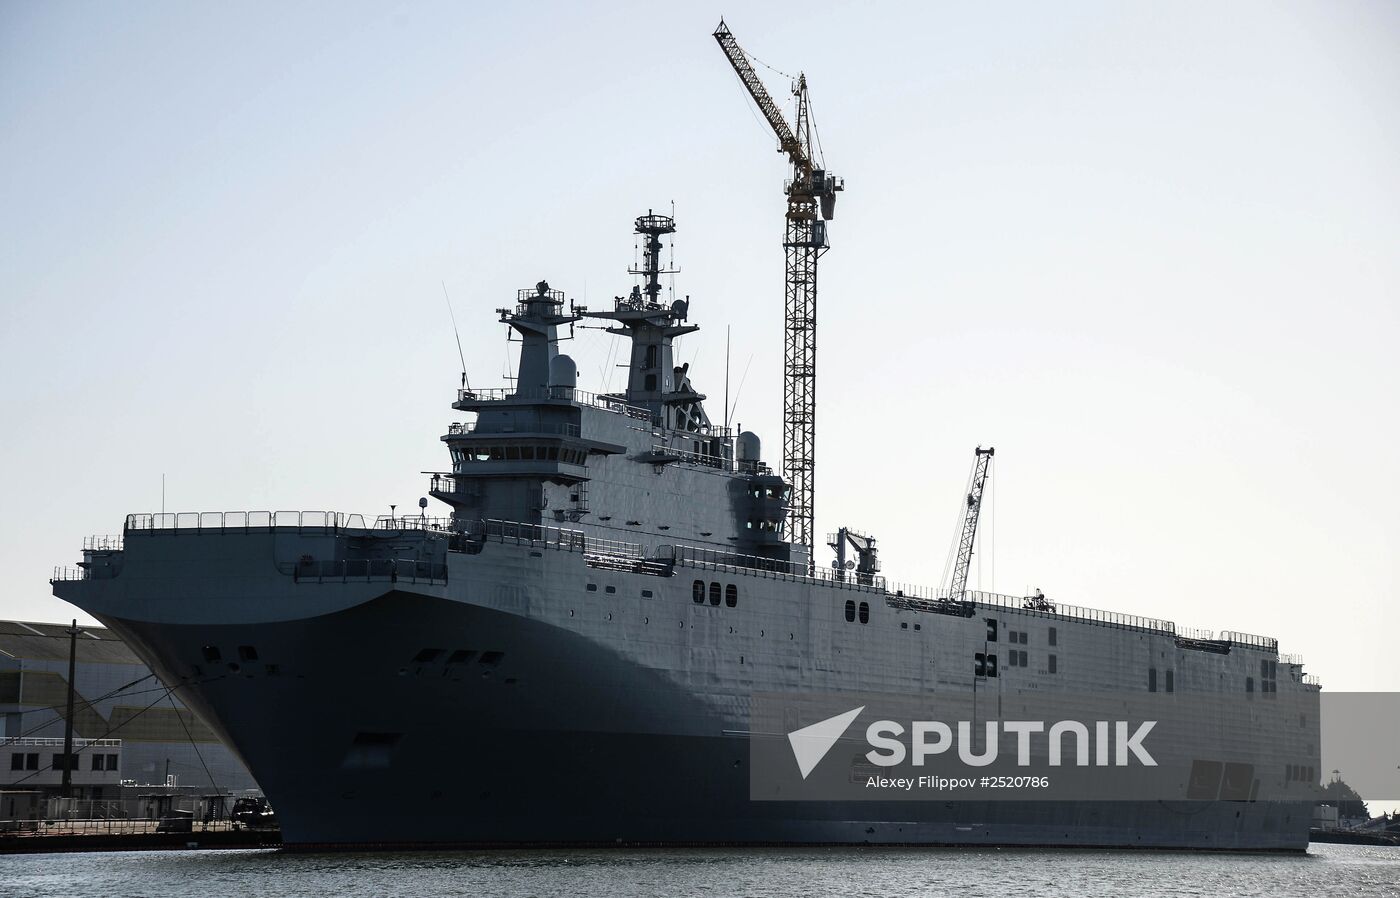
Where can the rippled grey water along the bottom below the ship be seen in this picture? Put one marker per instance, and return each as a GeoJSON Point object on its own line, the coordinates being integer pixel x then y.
{"type": "Point", "coordinates": [1350, 871]}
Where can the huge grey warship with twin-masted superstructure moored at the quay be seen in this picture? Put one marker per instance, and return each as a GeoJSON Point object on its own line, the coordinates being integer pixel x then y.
{"type": "Point", "coordinates": [572, 654]}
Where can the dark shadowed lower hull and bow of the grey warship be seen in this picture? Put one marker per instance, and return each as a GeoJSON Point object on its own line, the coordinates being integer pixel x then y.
{"type": "Point", "coordinates": [360, 735]}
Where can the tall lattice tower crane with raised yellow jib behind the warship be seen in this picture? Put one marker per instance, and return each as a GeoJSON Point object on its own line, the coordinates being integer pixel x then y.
{"type": "Point", "coordinates": [811, 202]}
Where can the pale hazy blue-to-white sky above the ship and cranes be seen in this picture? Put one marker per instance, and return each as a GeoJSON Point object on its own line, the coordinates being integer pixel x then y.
{"type": "Point", "coordinates": [1147, 251]}
